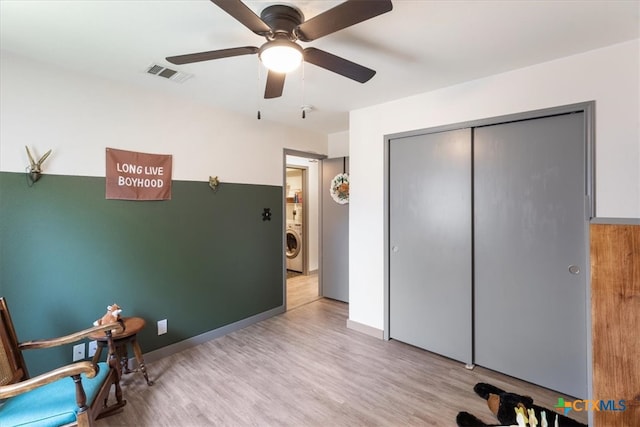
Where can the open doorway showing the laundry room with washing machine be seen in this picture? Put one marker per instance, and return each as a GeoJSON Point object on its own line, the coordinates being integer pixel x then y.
{"type": "Point", "coordinates": [301, 228]}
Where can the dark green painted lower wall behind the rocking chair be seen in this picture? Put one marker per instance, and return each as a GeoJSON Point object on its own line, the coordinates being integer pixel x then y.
{"type": "Point", "coordinates": [202, 260]}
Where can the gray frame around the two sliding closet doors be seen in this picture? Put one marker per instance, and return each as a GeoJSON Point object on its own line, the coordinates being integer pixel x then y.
{"type": "Point", "coordinates": [588, 108]}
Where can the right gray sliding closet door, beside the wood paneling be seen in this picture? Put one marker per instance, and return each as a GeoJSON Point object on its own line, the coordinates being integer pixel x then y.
{"type": "Point", "coordinates": [530, 229]}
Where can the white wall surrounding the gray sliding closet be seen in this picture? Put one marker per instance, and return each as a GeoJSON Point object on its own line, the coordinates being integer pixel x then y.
{"type": "Point", "coordinates": [610, 76]}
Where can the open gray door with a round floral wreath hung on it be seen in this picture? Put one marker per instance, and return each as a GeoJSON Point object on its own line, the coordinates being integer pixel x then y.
{"type": "Point", "coordinates": [335, 235]}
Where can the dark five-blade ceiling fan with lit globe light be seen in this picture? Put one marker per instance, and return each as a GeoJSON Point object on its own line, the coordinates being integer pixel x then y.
{"type": "Point", "coordinates": [283, 26]}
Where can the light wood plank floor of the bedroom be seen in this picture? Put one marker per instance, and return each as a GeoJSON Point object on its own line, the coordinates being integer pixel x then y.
{"type": "Point", "coordinates": [305, 368]}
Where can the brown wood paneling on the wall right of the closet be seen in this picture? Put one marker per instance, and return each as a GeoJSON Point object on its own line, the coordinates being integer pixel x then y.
{"type": "Point", "coordinates": [615, 309]}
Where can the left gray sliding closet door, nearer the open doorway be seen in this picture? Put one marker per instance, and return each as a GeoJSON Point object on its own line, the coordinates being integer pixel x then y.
{"type": "Point", "coordinates": [430, 239]}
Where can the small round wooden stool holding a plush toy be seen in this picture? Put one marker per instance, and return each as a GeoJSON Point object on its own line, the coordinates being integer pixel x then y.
{"type": "Point", "coordinates": [132, 325]}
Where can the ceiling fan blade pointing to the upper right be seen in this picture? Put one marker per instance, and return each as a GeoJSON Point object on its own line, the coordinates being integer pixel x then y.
{"type": "Point", "coordinates": [342, 16]}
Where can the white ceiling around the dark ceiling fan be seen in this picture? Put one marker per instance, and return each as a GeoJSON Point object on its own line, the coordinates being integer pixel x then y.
{"type": "Point", "coordinates": [421, 45]}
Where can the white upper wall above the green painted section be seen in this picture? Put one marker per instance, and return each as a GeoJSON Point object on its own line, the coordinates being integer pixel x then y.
{"type": "Point", "coordinates": [78, 116]}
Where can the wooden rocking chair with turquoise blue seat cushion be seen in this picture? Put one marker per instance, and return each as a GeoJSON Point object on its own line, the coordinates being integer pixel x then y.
{"type": "Point", "coordinates": [76, 394]}
